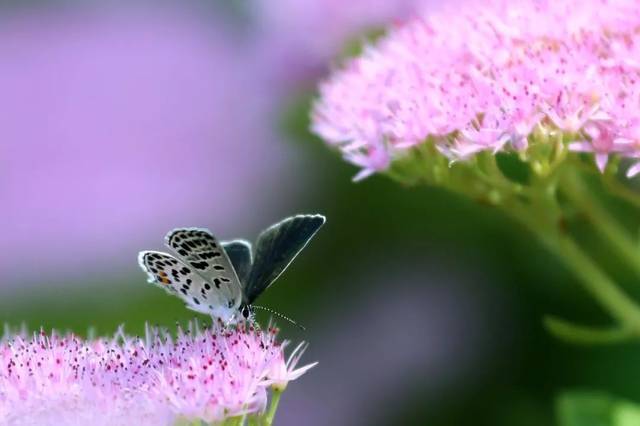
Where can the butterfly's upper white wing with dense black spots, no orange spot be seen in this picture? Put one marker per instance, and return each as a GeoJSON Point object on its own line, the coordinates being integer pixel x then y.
{"type": "Point", "coordinates": [200, 250]}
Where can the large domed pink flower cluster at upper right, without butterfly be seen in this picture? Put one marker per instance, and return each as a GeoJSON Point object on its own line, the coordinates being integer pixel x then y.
{"type": "Point", "coordinates": [485, 75]}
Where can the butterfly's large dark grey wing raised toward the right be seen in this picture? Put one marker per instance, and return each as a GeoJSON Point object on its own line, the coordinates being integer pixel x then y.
{"type": "Point", "coordinates": [276, 248]}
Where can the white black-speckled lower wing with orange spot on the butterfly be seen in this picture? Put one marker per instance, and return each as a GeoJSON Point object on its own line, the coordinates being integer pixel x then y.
{"type": "Point", "coordinates": [179, 279]}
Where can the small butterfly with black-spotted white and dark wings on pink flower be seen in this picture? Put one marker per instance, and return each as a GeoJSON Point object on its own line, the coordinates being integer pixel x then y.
{"type": "Point", "coordinates": [224, 279]}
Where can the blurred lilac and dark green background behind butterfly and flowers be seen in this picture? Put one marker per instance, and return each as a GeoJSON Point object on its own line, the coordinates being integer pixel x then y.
{"type": "Point", "coordinates": [122, 120]}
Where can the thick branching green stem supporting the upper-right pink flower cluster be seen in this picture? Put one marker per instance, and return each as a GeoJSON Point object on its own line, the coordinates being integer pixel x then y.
{"type": "Point", "coordinates": [538, 208]}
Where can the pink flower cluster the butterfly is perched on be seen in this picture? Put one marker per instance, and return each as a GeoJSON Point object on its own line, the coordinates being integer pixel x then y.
{"type": "Point", "coordinates": [201, 374]}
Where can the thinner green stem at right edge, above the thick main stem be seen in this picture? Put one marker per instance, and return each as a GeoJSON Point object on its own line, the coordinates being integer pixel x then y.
{"type": "Point", "coordinates": [603, 222]}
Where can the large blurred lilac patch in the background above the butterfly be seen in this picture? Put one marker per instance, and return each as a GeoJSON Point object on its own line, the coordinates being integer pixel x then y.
{"type": "Point", "coordinates": [118, 123]}
